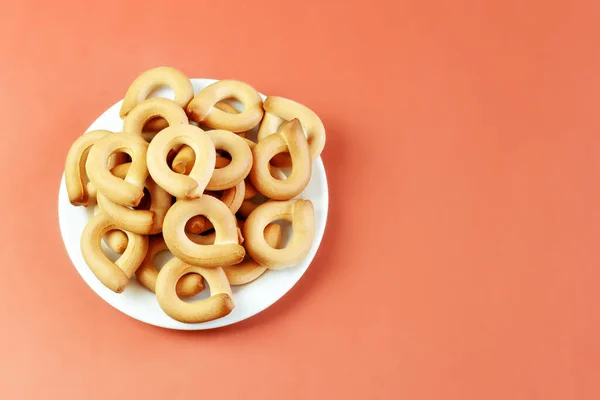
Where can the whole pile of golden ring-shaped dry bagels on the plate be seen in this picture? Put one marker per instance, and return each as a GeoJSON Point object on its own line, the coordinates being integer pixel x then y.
{"type": "Point", "coordinates": [183, 177]}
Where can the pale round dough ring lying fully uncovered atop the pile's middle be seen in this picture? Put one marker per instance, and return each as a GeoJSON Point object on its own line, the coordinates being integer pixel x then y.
{"type": "Point", "coordinates": [182, 186]}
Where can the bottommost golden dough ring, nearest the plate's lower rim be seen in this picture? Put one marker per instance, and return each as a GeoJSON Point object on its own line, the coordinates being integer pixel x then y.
{"type": "Point", "coordinates": [219, 304]}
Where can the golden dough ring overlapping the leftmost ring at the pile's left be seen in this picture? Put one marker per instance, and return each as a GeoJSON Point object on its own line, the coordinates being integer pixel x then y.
{"type": "Point", "coordinates": [128, 191]}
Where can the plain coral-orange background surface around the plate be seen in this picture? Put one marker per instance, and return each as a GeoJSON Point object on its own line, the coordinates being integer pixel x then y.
{"type": "Point", "coordinates": [461, 254]}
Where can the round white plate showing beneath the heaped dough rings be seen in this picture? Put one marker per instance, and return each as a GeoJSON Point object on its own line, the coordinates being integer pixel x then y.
{"type": "Point", "coordinates": [138, 302]}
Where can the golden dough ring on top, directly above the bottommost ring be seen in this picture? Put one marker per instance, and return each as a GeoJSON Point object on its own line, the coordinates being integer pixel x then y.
{"type": "Point", "coordinates": [225, 251]}
